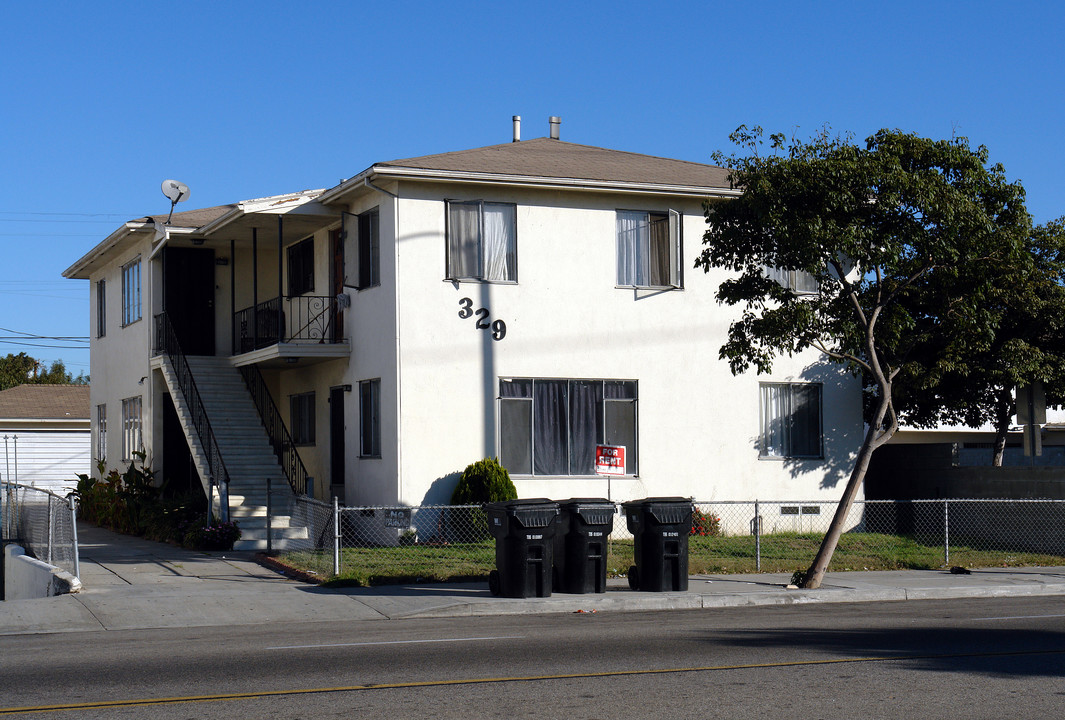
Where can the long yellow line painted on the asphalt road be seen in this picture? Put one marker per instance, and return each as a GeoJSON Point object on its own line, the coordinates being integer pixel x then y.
{"type": "Point", "coordinates": [108, 705]}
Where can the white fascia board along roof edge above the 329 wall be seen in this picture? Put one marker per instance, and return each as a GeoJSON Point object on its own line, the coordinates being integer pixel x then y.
{"type": "Point", "coordinates": [528, 182]}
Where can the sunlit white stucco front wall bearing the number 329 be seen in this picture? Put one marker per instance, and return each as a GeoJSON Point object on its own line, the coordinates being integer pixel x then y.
{"type": "Point", "coordinates": [566, 319]}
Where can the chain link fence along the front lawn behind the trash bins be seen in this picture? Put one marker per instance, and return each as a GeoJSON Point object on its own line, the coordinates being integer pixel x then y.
{"type": "Point", "coordinates": [453, 543]}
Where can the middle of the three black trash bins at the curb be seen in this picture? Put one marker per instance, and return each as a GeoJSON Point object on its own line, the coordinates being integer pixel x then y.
{"type": "Point", "coordinates": [581, 545]}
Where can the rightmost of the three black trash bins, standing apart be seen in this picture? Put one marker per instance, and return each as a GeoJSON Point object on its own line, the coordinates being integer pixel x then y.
{"type": "Point", "coordinates": [660, 528]}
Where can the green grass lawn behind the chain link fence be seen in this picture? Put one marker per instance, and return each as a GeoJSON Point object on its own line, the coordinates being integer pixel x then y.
{"type": "Point", "coordinates": [781, 553]}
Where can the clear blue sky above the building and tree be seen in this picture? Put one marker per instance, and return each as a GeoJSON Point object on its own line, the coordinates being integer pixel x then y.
{"type": "Point", "coordinates": [101, 103]}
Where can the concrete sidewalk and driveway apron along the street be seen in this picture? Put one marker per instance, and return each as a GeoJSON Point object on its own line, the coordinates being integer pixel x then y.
{"type": "Point", "coordinates": [134, 584]}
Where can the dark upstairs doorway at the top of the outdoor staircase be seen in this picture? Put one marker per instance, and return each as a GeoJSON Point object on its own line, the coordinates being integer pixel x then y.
{"type": "Point", "coordinates": [189, 298]}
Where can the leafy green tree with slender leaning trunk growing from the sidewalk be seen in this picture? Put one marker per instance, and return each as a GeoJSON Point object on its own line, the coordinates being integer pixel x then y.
{"type": "Point", "coordinates": [882, 230]}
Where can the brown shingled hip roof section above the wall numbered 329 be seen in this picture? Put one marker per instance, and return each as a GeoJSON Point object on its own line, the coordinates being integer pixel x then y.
{"type": "Point", "coordinates": [546, 158]}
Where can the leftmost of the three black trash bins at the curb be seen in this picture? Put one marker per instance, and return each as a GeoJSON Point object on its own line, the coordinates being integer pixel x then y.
{"type": "Point", "coordinates": [525, 532]}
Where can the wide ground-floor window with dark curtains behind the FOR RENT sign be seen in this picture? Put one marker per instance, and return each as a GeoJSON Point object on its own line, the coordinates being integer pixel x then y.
{"type": "Point", "coordinates": [551, 428]}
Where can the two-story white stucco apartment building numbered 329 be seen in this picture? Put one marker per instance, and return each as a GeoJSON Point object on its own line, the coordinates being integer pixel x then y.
{"type": "Point", "coordinates": [527, 301]}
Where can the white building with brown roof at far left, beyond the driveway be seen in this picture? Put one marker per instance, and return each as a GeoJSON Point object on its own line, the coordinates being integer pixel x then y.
{"type": "Point", "coordinates": [46, 435]}
